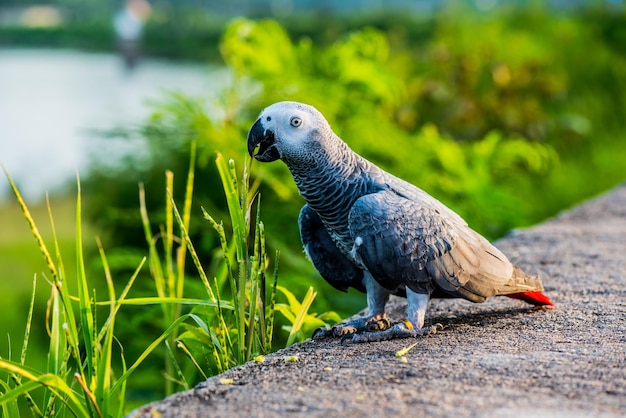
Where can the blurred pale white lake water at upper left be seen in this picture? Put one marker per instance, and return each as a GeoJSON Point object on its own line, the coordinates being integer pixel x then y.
{"type": "Point", "coordinates": [53, 101]}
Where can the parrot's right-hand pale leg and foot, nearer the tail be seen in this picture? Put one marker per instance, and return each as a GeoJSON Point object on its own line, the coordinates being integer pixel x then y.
{"type": "Point", "coordinates": [412, 327]}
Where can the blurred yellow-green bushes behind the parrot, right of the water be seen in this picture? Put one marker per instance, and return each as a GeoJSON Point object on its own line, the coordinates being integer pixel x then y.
{"type": "Point", "coordinates": [507, 118]}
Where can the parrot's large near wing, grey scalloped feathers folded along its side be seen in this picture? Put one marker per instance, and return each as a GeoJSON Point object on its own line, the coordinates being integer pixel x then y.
{"type": "Point", "coordinates": [403, 242]}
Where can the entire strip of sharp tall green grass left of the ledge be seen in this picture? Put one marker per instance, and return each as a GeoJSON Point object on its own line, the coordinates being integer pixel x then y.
{"type": "Point", "coordinates": [87, 374]}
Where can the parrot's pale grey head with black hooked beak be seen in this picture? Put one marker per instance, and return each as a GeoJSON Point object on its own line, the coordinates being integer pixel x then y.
{"type": "Point", "coordinates": [290, 131]}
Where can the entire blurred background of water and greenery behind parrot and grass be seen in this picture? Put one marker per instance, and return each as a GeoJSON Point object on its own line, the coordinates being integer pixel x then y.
{"type": "Point", "coordinates": [507, 111]}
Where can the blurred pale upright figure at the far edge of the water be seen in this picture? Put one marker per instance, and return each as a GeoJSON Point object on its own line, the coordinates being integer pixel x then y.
{"type": "Point", "coordinates": [128, 25]}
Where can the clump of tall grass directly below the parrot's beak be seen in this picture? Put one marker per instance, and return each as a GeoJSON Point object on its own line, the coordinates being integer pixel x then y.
{"type": "Point", "coordinates": [240, 325]}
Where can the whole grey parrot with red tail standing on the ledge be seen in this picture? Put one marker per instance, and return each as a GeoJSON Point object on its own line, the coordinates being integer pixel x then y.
{"type": "Point", "coordinates": [364, 228]}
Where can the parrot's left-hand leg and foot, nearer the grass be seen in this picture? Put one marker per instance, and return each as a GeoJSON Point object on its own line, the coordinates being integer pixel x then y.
{"type": "Point", "coordinates": [377, 297]}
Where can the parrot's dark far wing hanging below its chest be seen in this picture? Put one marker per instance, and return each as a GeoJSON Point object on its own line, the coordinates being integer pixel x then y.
{"type": "Point", "coordinates": [332, 265]}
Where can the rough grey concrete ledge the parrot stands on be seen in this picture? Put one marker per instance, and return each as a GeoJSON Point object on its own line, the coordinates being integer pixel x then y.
{"type": "Point", "coordinates": [496, 359]}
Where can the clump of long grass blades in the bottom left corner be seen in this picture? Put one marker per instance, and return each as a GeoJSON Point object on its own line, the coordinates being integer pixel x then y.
{"type": "Point", "coordinates": [80, 379]}
